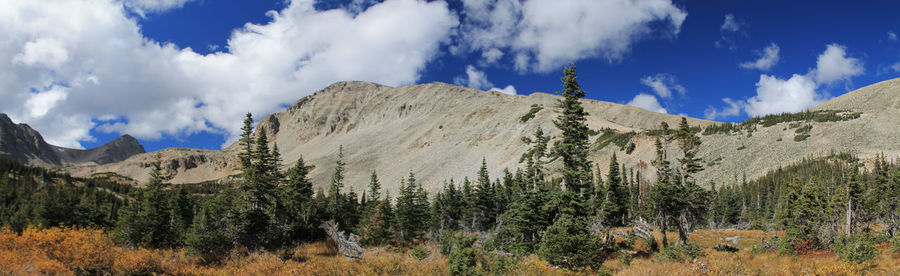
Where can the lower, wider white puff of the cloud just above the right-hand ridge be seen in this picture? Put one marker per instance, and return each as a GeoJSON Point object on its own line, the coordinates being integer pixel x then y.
{"type": "Point", "coordinates": [774, 95]}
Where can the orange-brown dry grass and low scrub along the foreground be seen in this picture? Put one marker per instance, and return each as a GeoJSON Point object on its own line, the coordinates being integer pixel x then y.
{"type": "Point", "coordinates": [66, 251]}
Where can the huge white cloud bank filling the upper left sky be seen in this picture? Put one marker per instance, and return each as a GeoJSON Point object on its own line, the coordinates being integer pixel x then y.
{"type": "Point", "coordinates": [69, 63]}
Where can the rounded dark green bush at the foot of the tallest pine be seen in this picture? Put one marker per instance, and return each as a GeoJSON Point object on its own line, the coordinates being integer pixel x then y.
{"type": "Point", "coordinates": [568, 243]}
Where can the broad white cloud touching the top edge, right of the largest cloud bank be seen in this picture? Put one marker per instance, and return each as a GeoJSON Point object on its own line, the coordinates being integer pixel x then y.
{"type": "Point", "coordinates": [546, 34]}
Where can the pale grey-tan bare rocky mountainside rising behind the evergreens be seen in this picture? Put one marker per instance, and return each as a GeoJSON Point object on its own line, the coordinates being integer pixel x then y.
{"type": "Point", "coordinates": [440, 131]}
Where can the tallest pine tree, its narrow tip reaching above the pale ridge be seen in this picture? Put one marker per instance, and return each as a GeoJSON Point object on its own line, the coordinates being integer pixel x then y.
{"type": "Point", "coordinates": [573, 144]}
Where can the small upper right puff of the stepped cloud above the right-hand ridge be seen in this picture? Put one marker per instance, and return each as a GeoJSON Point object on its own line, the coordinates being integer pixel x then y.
{"type": "Point", "coordinates": [834, 65]}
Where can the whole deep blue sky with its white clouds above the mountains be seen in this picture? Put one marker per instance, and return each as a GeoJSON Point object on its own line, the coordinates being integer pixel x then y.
{"type": "Point", "coordinates": [181, 73]}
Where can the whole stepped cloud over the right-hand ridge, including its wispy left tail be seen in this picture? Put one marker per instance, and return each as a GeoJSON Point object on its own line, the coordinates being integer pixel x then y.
{"type": "Point", "coordinates": [798, 93]}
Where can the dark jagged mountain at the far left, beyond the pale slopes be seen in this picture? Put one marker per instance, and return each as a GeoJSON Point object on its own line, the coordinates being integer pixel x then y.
{"type": "Point", "coordinates": [22, 143]}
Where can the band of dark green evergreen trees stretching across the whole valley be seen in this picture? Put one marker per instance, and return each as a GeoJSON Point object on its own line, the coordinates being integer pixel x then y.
{"type": "Point", "coordinates": [565, 216]}
